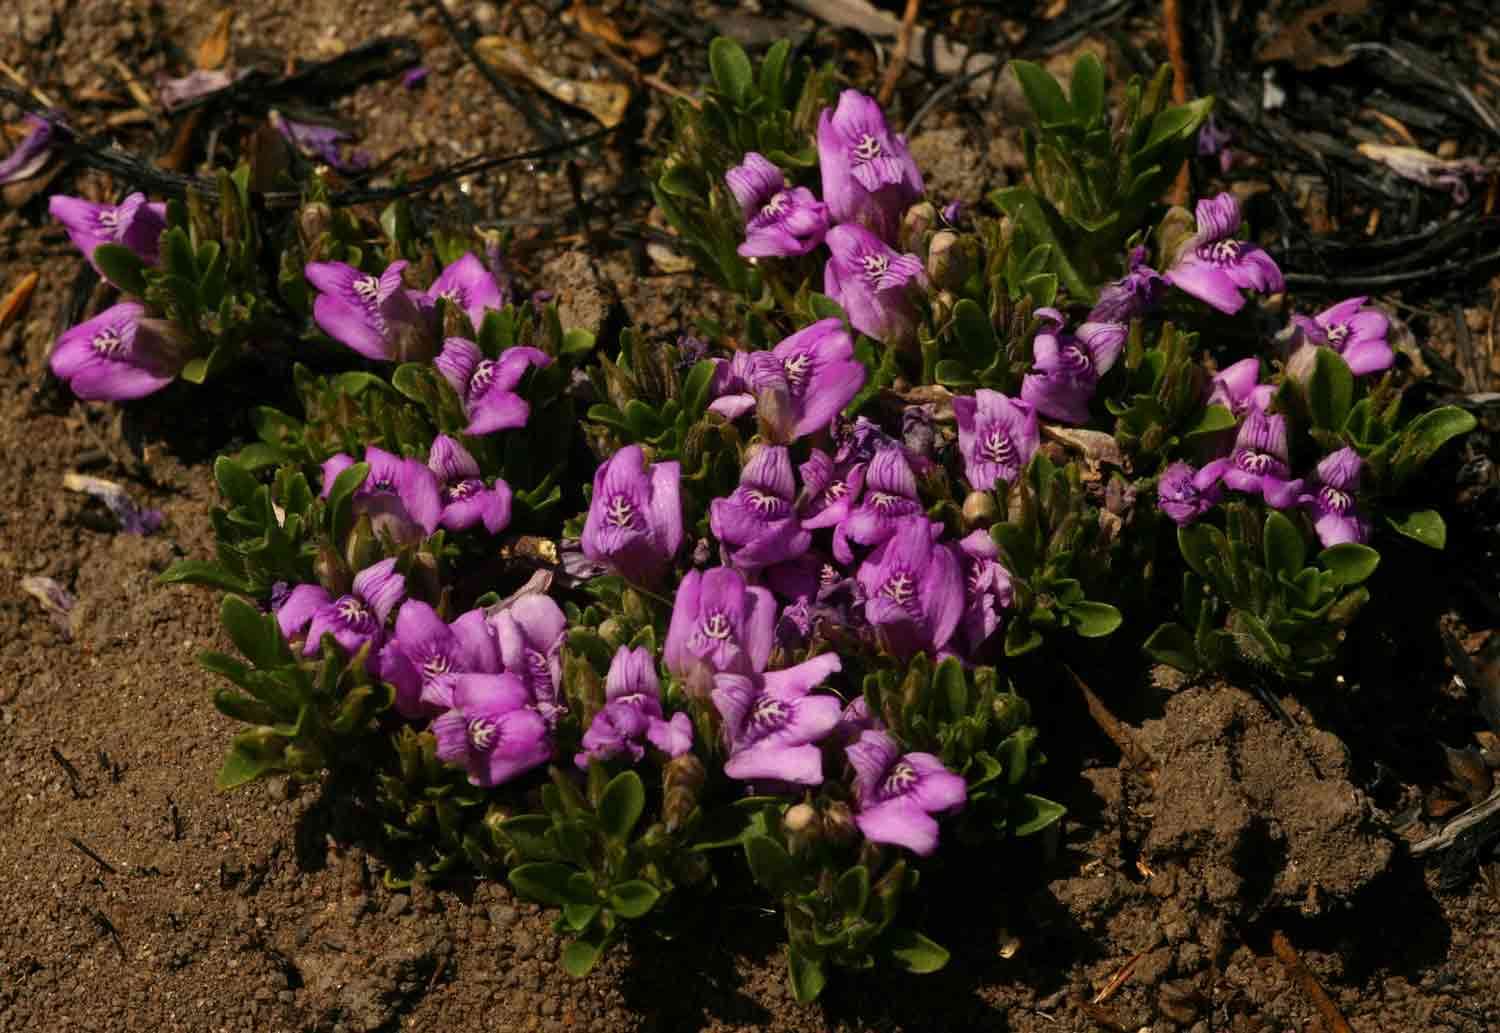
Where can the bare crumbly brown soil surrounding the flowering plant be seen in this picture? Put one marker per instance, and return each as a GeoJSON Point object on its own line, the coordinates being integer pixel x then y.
{"type": "Point", "coordinates": [134, 897]}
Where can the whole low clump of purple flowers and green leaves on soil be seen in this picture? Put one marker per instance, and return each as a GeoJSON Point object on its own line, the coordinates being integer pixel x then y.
{"type": "Point", "coordinates": [631, 620]}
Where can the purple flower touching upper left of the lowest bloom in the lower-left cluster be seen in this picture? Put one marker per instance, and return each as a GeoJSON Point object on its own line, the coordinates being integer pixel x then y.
{"type": "Point", "coordinates": [425, 653]}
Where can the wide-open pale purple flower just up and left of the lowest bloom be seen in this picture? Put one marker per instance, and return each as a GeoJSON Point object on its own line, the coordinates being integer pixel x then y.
{"type": "Point", "coordinates": [772, 722]}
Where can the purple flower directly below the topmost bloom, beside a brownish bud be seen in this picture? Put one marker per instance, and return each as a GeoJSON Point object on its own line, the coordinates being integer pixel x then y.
{"type": "Point", "coordinates": [871, 281]}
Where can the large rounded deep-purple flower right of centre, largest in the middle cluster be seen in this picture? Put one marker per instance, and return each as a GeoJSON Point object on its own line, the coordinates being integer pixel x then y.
{"type": "Point", "coordinates": [914, 591]}
